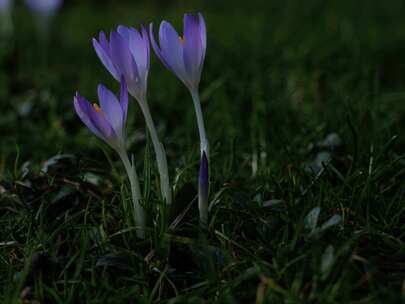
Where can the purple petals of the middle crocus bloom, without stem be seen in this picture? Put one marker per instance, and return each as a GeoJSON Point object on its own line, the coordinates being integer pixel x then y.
{"type": "Point", "coordinates": [126, 53]}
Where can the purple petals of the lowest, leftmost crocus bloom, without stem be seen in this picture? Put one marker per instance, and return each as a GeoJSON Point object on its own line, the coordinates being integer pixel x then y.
{"type": "Point", "coordinates": [107, 120]}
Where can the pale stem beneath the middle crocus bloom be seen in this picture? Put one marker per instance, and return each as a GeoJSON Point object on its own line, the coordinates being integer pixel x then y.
{"type": "Point", "coordinates": [160, 154]}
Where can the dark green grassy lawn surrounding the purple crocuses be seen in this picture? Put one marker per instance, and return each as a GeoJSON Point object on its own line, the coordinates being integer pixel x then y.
{"type": "Point", "coordinates": [295, 218]}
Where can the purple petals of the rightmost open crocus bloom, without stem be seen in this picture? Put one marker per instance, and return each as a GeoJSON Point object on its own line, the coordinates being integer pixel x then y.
{"type": "Point", "coordinates": [183, 55]}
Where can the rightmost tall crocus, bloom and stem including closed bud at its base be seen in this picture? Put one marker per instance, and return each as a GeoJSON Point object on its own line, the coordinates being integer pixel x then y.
{"type": "Point", "coordinates": [184, 56]}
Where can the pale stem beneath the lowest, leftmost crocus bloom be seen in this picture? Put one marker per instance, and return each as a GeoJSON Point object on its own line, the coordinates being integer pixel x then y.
{"type": "Point", "coordinates": [136, 193]}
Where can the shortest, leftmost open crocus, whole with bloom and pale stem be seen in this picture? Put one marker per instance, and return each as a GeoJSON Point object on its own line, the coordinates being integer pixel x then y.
{"type": "Point", "coordinates": [107, 121]}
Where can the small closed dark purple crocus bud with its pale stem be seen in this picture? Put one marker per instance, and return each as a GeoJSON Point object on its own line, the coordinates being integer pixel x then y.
{"type": "Point", "coordinates": [203, 190]}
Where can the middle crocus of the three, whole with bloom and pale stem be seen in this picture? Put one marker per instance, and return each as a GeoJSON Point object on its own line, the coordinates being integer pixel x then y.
{"type": "Point", "coordinates": [127, 53]}
